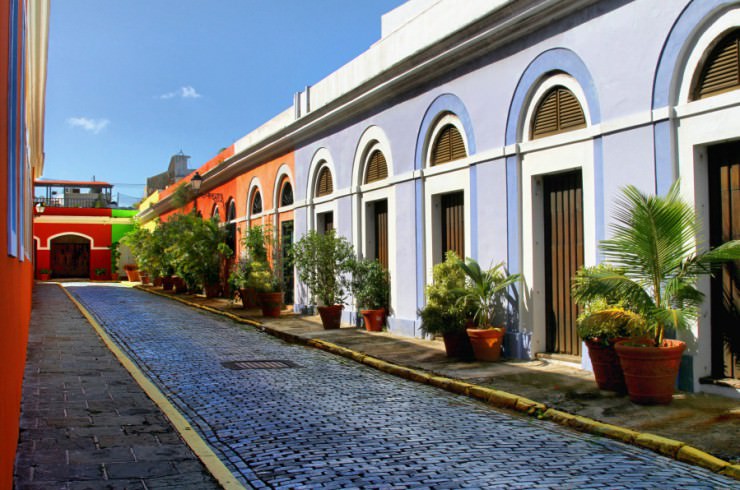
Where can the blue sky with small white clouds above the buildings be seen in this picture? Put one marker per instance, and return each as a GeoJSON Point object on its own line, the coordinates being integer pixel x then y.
{"type": "Point", "coordinates": [132, 82]}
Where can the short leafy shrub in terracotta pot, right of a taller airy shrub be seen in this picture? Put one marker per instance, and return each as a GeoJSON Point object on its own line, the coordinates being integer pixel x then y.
{"type": "Point", "coordinates": [370, 286]}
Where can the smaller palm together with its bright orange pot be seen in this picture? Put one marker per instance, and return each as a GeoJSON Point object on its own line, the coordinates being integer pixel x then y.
{"type": "Point", "coordinates": [485, 292]}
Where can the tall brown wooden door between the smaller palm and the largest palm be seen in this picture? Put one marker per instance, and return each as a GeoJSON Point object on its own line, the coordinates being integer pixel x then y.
{"type": "Point", "coordinates": [563, 256]}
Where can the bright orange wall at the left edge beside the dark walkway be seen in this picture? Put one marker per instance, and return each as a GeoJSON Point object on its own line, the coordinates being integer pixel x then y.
{"type": "Point", "coordinates": [16, 280]}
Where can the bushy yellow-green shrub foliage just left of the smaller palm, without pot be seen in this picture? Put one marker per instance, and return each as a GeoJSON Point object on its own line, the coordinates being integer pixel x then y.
{"type": "Point", "coordinates": [444, 312]}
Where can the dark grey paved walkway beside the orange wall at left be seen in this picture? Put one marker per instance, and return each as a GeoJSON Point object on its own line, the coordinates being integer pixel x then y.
{"type": "Point", "coordinates": [85, 422]}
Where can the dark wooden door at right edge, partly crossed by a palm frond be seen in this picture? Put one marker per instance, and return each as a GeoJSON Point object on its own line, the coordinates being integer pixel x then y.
{"type": "Point", "coordinates": [724, 225]}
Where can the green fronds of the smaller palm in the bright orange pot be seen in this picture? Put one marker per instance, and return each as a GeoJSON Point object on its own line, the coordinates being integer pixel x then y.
{"type": "Point", "coordinates": [485, 291]}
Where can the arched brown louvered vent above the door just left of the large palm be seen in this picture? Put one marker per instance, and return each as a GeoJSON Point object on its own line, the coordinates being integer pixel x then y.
{"type": "Point", "coordinates": [558, 112]}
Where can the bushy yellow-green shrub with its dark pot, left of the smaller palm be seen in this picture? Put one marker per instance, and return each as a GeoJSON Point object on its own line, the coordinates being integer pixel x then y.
{"type": "Point", "coordinates": [444, 314]}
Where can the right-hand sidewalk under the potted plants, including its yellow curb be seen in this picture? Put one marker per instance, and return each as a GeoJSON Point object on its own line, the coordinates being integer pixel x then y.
{"type": "Point", "coordinates": [705, 422]}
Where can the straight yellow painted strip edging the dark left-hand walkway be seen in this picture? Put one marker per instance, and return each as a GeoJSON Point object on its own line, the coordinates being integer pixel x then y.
{"type": "Point", "coordinates": [199, 446]}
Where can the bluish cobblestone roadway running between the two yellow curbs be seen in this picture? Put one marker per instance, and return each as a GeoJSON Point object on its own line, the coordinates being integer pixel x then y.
{"type": "Point", "coordinates": [329, 422]}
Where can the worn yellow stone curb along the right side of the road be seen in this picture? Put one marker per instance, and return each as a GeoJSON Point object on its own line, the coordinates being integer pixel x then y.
{"type": "Point", "coordinates": [500, 399]}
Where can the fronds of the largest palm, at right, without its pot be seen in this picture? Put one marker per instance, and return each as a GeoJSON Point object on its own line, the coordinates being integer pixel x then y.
{"type": "Point", "coordinates": [654, 261]}
